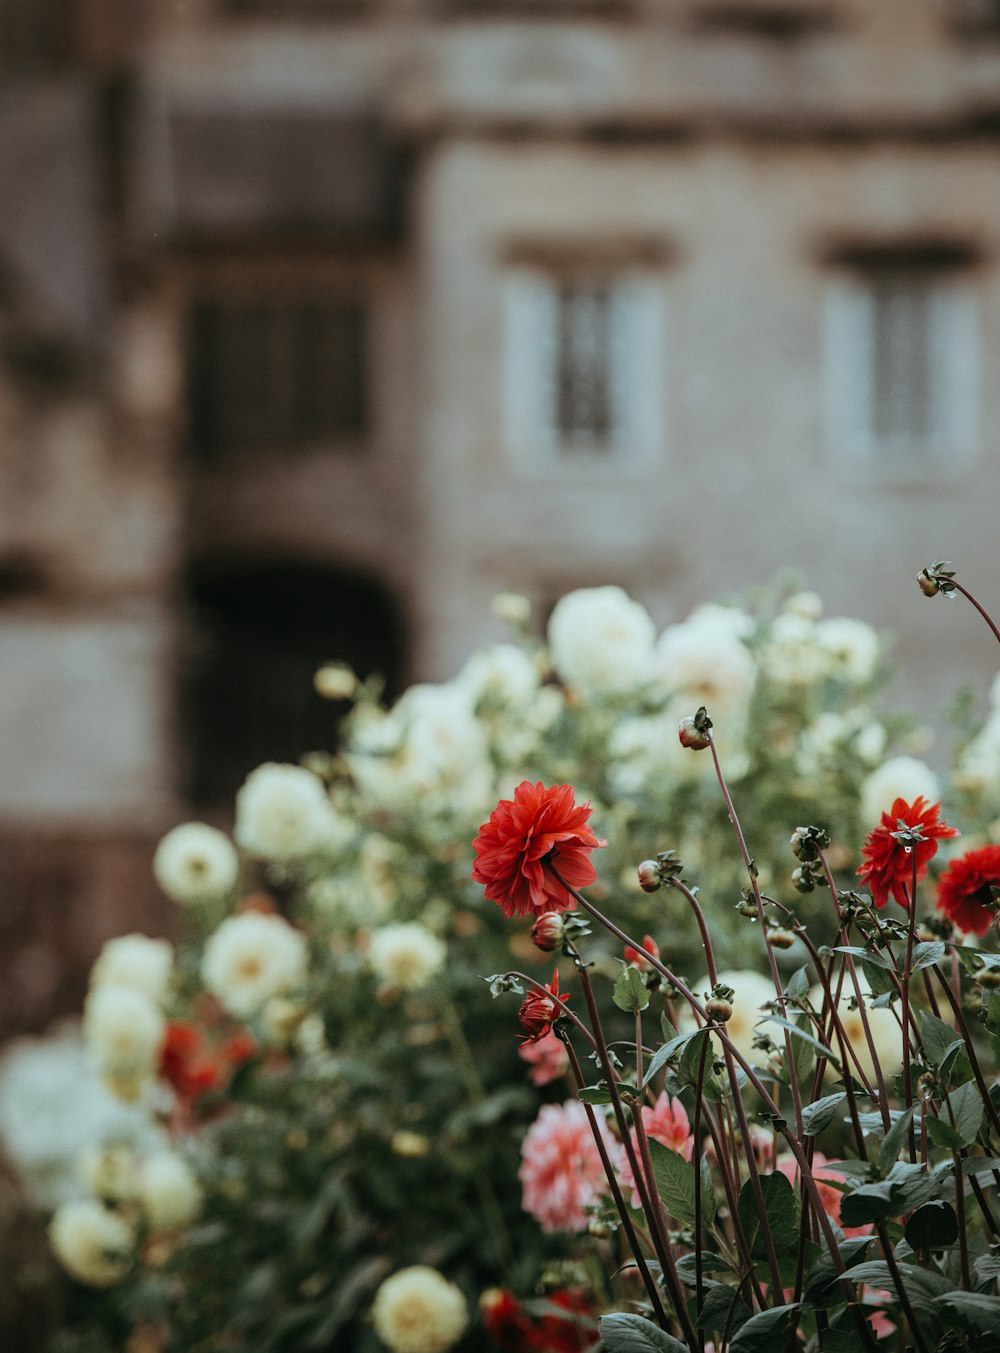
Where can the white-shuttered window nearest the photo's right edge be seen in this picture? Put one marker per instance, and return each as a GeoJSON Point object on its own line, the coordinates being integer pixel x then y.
{"type": "Point", "coordinates": [902, 361]}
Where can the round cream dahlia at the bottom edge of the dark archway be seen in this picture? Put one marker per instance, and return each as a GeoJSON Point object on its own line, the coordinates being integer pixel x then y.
{"type": "Point", "coordinates": [283, 812]}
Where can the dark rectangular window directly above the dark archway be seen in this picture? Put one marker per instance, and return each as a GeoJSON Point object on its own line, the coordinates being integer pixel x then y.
{"type": "Point", "coordinates": [273, 374]}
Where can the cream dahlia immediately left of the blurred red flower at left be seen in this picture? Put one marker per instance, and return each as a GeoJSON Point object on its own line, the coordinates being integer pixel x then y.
{"type": "Point", "coordinates": [124, 1032]}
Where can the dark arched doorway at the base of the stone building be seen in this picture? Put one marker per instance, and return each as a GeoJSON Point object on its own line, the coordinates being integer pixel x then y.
{"type": "Point", "coordinates": [259, 630]}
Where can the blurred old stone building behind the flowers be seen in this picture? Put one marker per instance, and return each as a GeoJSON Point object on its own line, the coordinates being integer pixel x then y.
{"type": "Point", "coordinates": [321, 321]}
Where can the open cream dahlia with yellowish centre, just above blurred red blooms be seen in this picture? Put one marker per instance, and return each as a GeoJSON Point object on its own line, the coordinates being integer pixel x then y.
{"type": "Point", "coordinates": [250, 959]}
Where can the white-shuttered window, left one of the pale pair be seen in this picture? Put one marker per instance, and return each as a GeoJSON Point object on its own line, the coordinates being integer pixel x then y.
{"type": "Point", "coordinates": [584, 358]}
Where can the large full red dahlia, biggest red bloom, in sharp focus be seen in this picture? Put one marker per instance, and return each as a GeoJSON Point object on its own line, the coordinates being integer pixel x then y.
{"type": "Point", "coordinates": [539, 825]}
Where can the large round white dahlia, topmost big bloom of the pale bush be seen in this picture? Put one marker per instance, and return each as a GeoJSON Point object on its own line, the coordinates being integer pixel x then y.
{"type": "Point", "coordinates": [601, 641]}
